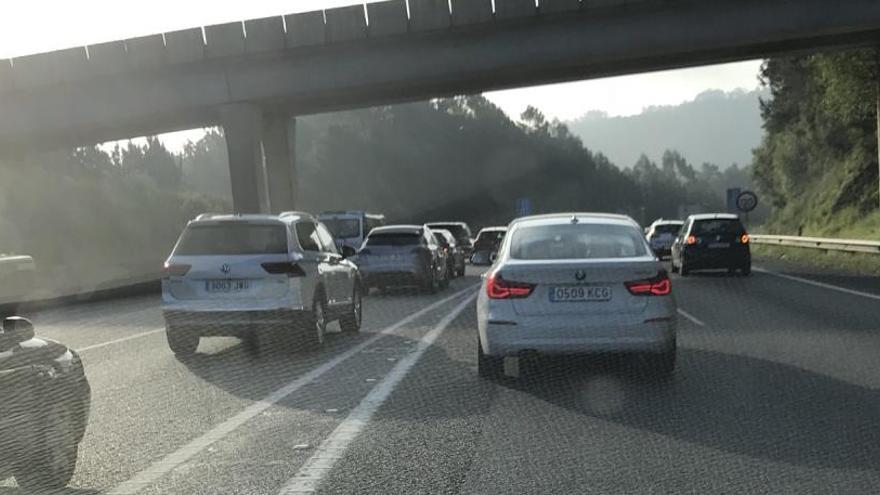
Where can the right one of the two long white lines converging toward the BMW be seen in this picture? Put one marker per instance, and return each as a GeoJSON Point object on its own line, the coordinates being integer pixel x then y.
{"type": "Point", "coordinates": [333, 447]}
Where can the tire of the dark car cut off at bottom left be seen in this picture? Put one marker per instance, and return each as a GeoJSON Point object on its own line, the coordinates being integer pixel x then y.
{"type": "Point", "coordinates": [52, 464]}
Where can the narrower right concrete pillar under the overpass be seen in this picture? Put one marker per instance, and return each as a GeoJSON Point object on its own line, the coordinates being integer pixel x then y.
{"type": "Point", "coordinates": [278, 137]}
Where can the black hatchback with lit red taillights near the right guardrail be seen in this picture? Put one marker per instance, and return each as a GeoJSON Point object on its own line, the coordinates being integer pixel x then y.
{"type": "Point", "coordinates": [712, 241]}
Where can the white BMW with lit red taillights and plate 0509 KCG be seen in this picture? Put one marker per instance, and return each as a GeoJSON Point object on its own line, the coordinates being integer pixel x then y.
{"type": "Point", "coordinates": [575, 283]}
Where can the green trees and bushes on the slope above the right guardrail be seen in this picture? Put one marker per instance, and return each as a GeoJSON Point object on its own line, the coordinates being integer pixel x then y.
{"type": "Point", "coordinates": [818, 159]}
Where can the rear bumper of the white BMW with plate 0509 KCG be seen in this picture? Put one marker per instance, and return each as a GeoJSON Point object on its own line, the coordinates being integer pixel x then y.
{"type": "Point", "coordinates": [512, 338]}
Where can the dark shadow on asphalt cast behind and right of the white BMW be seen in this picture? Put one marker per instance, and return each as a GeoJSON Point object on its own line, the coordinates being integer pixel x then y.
{"type": "Point", "coordinates": [732, 403]}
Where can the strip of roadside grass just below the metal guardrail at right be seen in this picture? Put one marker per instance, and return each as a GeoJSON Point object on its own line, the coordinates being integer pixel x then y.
{"type": "Point", "coordinates": [832, 261]}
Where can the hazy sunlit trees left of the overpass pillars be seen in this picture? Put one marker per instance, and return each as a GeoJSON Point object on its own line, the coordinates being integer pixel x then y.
{"type": "Point", "coordinates": [93, 216]}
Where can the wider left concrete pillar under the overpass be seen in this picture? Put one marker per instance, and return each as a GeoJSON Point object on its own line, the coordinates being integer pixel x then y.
{"type": "Point", "coordinates": [242, 126]}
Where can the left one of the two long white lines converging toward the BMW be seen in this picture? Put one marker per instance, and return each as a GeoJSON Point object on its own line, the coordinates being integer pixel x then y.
{"type": "Point", "coordinates": [171, 461]}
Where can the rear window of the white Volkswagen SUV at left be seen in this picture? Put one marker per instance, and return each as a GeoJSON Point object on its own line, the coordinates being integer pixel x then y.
{"type": "Point", "coordinates": [232, 239]}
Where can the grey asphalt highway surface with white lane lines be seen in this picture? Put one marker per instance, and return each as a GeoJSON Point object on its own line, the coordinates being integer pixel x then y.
{"type": "Point", "coordinates": [776, 392]}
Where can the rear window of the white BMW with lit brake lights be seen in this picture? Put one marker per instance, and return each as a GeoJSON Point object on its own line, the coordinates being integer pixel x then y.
{"type": "Point", "coordinates": [577, 241]}
